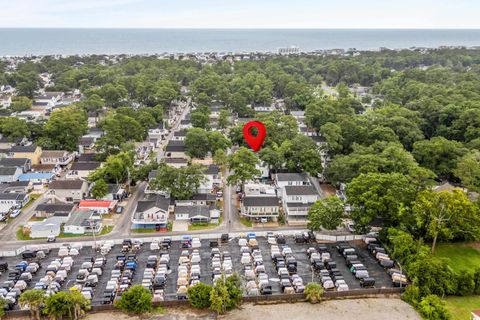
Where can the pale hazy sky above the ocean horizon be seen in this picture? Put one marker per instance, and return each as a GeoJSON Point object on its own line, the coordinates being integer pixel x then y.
{"type": "Point", "coordinates": [241, 13]}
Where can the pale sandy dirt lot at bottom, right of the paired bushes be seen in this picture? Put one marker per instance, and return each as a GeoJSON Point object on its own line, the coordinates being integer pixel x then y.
{"type": "Point", "coordinates": [360, 309]}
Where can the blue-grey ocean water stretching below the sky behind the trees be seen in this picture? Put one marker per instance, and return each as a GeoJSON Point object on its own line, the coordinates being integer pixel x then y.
{"type": "Point", "coordinates": [149, 41]}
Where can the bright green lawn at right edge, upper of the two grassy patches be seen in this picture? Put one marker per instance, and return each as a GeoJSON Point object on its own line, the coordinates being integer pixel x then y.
{"type": "Point", "coordinates": [460, 256]}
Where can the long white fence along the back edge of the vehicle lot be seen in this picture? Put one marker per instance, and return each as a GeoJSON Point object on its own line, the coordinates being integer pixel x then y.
{"type": "Point", "coordinates": [319, 236]}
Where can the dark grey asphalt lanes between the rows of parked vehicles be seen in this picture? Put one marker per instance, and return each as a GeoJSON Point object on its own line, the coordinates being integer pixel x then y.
{"type": "Point", "coordinates": [304, 269]}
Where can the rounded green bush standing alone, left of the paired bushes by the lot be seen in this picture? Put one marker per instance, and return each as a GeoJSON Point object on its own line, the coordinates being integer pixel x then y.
{"type": "Point", "coordinates": [137, 300]}
